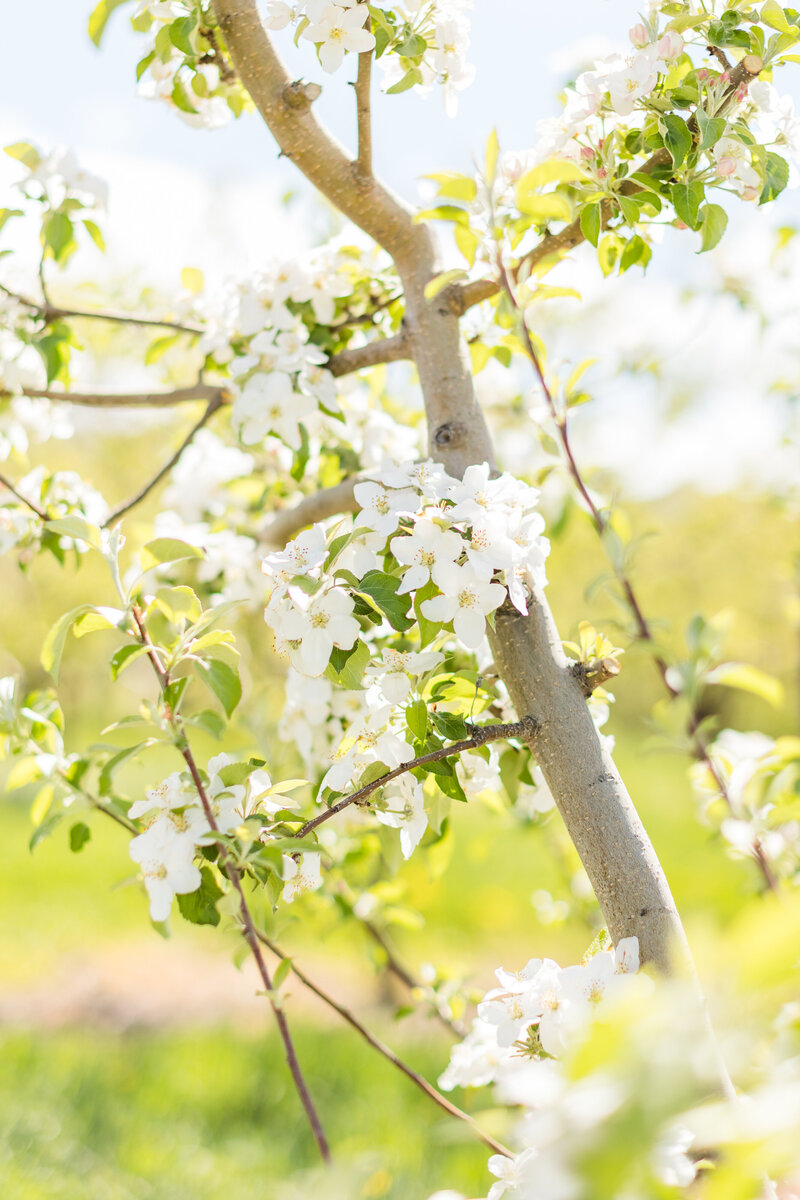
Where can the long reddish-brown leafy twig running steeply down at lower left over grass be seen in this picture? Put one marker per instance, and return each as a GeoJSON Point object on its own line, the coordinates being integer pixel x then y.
{"type": "Point", "coordinates": [249, 928]}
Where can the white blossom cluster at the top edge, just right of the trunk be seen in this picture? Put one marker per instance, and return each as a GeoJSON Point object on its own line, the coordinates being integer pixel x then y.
{"type": "Point", "coordinates": [419, 44]}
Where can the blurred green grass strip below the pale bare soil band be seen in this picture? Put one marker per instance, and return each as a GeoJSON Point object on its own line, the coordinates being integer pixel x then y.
{"type": "Point", "coordinates": [207, 1118]}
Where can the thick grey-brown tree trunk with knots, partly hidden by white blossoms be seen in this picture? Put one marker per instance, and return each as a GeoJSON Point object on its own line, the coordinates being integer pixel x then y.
{"type": "Point", "coordinates": [591, 795]}
